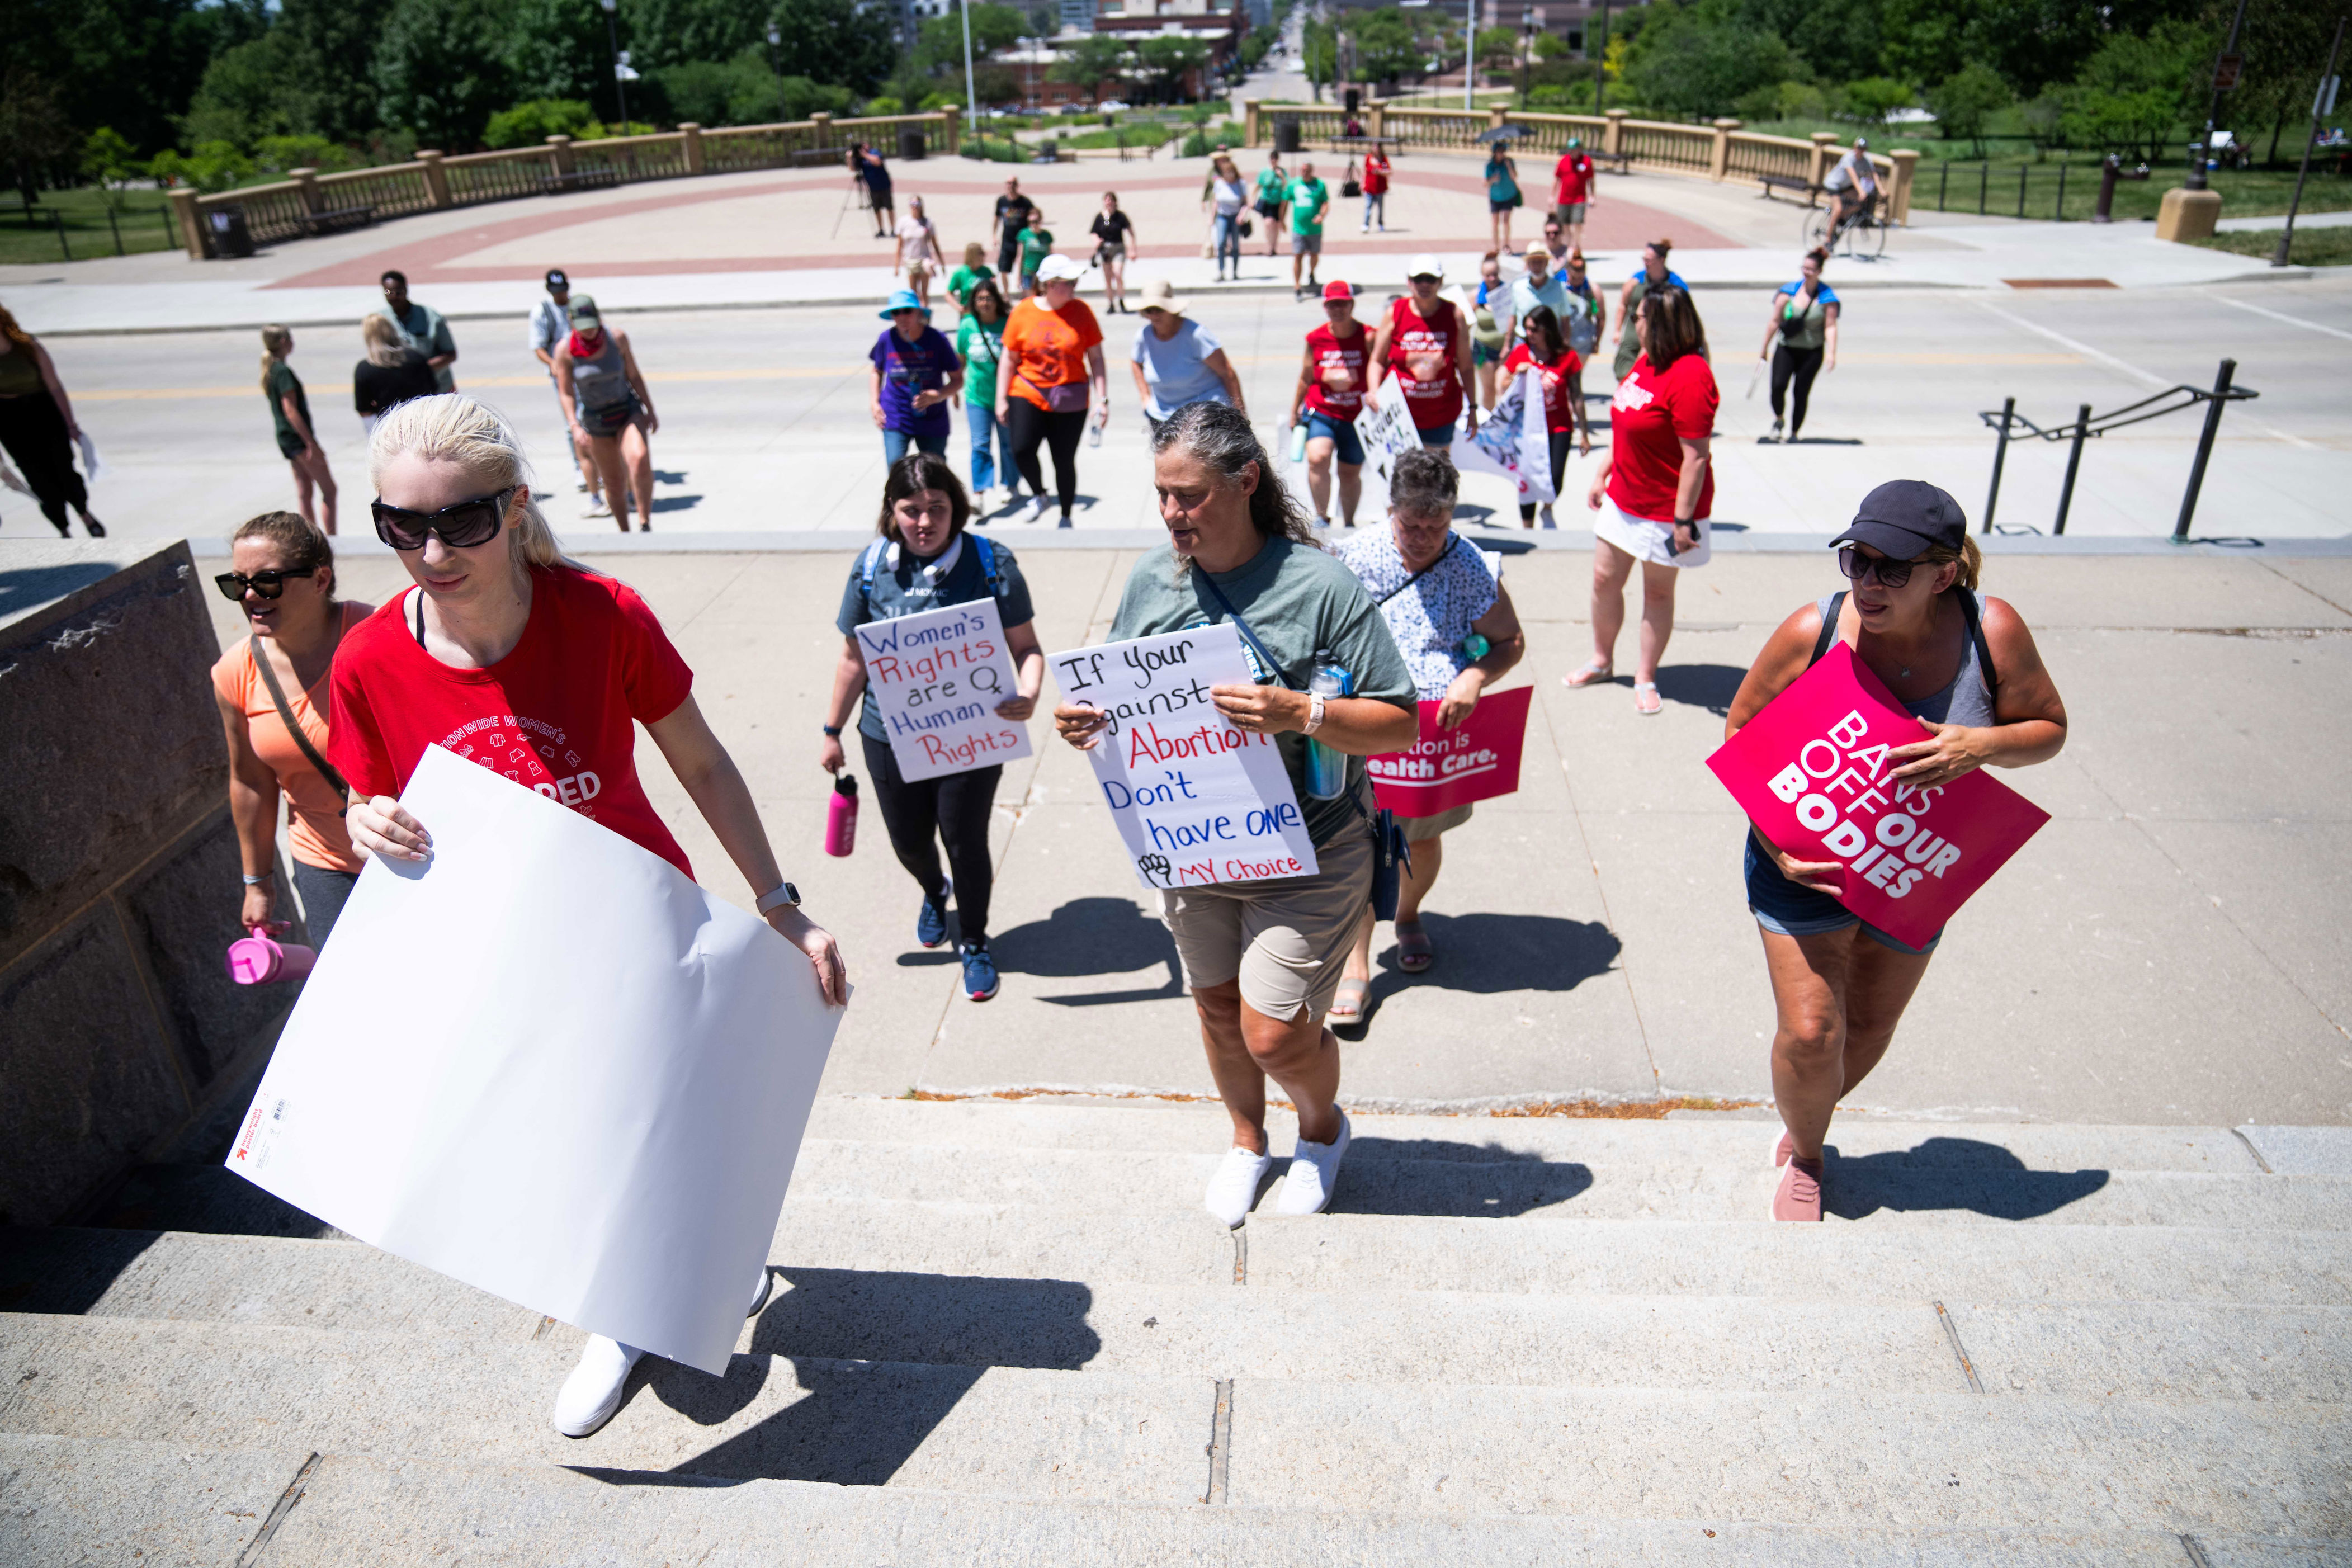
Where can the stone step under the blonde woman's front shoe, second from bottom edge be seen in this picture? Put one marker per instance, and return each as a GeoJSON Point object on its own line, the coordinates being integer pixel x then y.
{"type": "Point", "coordinates": [1824, 1459]}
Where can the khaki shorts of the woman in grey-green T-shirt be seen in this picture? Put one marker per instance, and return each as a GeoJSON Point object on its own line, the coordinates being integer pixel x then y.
{"type": "Point", "coordinates": [1285, 939]}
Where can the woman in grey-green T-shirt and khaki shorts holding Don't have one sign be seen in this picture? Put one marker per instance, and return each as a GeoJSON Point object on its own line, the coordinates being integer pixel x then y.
{"type": "Point", "coordinates": [1264, 958]}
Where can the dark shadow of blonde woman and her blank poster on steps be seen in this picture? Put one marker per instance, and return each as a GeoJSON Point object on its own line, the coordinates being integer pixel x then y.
{"type": "Point", "coordinates": [881, 1360]}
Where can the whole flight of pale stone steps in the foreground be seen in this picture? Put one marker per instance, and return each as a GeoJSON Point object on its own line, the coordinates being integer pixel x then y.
{"type": "Point", "coordinates": [1005, 1334]}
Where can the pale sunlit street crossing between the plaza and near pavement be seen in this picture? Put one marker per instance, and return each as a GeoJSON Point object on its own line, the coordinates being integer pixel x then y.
{"type": "Point", "coordinates": [766, 413]}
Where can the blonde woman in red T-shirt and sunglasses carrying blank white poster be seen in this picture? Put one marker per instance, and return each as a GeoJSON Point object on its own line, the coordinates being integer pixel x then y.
{"type": "Point", "coordinates": [530, 666]}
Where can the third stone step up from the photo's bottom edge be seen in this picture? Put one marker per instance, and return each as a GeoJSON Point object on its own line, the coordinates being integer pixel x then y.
{"type": "Point", "coordinates": [1361, 1334]}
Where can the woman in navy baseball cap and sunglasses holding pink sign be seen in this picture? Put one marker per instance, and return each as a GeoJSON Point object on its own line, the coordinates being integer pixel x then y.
{"type": "Point", "coordinates": [1967, 669]}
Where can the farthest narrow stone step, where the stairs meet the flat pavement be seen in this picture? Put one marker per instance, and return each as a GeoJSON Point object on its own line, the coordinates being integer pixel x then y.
{"type": "Point", "coordinates": [1163, 1127]}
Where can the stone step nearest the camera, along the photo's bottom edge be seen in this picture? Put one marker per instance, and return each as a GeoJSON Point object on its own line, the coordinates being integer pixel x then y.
{"type": "Point", "coordinates": [74, 1501]}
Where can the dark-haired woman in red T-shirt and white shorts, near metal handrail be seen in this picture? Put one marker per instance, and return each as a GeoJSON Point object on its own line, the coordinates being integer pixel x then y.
{"type": "Point", "coordinates": [1655, 488]}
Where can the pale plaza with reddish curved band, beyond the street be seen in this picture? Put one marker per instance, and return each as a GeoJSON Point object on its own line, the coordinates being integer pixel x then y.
{"type": "Point", "coordinates": [787, 239]}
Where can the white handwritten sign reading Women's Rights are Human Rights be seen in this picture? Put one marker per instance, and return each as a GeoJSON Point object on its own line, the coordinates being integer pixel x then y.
{"type": "Point", "coordinates": [937, 678]}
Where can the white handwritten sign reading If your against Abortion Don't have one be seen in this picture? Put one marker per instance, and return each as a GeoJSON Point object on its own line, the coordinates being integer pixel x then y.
{"type": "Point", "coordinates": [1196, 798]}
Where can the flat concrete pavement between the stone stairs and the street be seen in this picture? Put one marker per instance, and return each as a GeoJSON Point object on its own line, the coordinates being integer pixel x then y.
{"type": "Point", "coordinates": [2170, 949]}
